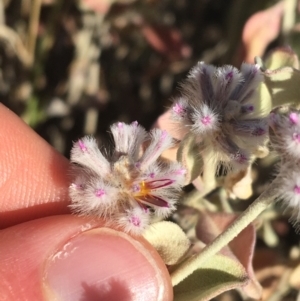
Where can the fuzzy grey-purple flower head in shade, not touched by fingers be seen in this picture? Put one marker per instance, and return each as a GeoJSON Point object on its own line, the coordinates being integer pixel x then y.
{"type": "Point", "coordinates": [220, 106]}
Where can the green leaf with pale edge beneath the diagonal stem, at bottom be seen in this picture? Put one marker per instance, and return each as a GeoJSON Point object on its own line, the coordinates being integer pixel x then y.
{"type": "Point", "coordinates": [217, 275]}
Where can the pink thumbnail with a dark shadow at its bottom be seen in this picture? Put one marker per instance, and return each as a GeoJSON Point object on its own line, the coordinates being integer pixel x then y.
{"type": "Point", "coordinates": [103, 264]}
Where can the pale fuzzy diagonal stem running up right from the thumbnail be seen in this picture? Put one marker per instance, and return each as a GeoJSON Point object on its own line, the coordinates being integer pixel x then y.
{"type": "Point", "coordinates": [248, 216]}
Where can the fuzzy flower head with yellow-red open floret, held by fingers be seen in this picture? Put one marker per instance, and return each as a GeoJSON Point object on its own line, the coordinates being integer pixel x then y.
{"type": "Point", "coordinates": [130, 187]}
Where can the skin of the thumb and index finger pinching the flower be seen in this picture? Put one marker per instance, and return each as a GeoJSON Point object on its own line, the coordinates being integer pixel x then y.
{"type": "Point", "coordinates": [48, 254]}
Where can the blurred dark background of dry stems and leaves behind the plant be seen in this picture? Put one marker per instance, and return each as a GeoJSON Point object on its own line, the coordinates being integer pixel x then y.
{"type": "Point", "coordinates": [71, 68]}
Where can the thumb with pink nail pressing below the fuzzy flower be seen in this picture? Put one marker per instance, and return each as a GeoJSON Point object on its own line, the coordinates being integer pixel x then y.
{"type": "Point", "coordinates": [73, 258]}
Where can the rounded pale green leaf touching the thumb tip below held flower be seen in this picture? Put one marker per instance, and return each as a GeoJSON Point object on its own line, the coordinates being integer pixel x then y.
{"type": "Point", "coordinates": [169, 240]}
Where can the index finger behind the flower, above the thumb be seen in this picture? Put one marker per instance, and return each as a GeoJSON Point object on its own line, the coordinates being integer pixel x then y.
{"type": "Point", "coordinates": [33, 175]}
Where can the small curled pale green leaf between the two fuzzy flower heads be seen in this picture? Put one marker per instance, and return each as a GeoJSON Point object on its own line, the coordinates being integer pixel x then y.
{"type": "Point", "coordinates": [189, 155]}
